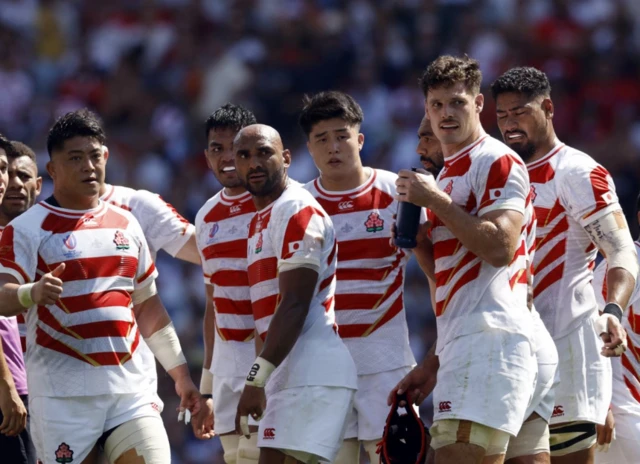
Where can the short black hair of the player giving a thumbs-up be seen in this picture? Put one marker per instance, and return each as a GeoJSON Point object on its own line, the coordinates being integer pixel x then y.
{"type": "Point", "coordinates": [80, 123]}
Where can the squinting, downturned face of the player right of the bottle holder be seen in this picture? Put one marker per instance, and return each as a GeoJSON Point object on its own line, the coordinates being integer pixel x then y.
{"type": "Point", "coordinates": [522, 121]}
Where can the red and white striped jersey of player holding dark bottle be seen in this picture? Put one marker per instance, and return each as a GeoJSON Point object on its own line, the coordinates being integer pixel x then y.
{"type": "Point", "coordinates": [471, 294]}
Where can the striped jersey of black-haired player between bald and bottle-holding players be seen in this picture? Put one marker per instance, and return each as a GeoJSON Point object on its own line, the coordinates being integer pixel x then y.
{"type": "Point", "coordinates": [369, 292]}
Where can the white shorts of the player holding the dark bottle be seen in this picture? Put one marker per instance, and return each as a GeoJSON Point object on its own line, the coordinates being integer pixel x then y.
{"type": "Point", "coordinates": [486, 377]}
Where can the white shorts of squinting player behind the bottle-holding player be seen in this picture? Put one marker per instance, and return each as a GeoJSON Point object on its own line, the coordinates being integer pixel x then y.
{"type": "Point", "coordinates": [584, 391]}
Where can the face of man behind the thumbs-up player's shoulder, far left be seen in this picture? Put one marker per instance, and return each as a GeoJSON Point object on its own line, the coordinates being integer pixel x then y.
{"type": "Point", "coordinates": [23, 188]}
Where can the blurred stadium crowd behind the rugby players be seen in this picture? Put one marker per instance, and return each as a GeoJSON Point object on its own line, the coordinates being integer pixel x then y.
{"type": "Point", "coordinates": [154, 70]}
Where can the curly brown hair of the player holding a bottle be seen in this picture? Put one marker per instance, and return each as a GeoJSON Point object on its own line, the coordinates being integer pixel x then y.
{"type": "Point", "coordinates": [447, 70]}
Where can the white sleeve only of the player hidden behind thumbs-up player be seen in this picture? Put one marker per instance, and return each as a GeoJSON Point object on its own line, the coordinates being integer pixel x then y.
{"type": "Point", "coordinates": [161, 224]}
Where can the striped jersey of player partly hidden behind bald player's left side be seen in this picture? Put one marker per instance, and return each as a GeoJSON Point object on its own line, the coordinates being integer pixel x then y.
{"type": "Point", "coordinates": [222, 229]}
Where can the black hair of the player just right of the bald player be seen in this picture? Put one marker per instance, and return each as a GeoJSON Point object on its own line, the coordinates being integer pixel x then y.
{"type": "Point", "coordinates": [329, 105]}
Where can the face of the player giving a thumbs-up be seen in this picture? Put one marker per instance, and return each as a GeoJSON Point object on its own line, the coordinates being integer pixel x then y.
{"type": "Point", "coordinates": [78, 168]}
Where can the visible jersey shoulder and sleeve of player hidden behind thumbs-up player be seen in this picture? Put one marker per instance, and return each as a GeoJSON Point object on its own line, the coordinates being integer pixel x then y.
{"type": "Point", "coordinates": [163, 227]}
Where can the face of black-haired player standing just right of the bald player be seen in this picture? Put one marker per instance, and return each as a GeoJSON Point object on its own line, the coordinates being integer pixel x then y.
{"type": "Point", "coordinates": [335, 147]}
